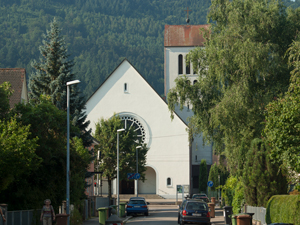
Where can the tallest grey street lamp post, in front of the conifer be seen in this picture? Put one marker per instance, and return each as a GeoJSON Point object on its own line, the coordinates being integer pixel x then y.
{"type": "Point", "coordinates": [68, 148]}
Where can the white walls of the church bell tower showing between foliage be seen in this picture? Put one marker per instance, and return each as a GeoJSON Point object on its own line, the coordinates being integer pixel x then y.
{"type": "Point", "coordinates": [199, 150]}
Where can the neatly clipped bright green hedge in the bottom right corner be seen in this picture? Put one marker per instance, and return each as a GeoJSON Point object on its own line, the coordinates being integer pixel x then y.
{"type": "Point", "coordinates": [283, 209]}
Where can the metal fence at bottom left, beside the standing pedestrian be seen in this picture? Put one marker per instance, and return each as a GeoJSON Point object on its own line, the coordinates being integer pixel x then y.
{"type": "Point", "coordinates": [22, 217]}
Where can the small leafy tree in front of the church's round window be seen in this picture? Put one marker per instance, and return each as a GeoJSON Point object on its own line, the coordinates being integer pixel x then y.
{"type": "Point", "coordinates": [106, 134]}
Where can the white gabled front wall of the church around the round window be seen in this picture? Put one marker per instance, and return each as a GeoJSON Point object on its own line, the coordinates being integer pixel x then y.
{"type": "Point", "coordinates": [169, 147]}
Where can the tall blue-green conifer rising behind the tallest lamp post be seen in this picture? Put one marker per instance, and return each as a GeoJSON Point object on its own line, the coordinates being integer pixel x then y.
{"type": "Point", "coordinates": [52, 72]}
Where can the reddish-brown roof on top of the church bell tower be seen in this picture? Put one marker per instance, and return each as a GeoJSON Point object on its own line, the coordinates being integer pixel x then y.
{"type": "Point", "coordinates": [184, 35]}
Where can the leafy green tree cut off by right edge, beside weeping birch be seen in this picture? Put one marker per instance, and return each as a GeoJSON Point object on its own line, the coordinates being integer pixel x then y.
{"type": "Point", "coordinates": [282, 129]}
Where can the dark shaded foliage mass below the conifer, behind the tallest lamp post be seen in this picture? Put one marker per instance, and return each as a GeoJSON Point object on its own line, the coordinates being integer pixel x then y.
{"type": "Point", "coordinates": [47, 124]}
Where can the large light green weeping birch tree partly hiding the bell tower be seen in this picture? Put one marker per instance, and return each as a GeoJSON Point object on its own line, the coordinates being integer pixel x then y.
{"type": "Point", "coordinates": [241, 69]}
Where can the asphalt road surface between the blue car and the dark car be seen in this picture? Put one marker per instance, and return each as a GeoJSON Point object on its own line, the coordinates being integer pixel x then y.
{"type": "Point", "coordinates": [165, 214]}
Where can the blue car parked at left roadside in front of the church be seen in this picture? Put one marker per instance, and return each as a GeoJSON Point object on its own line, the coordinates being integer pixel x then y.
{"type": "Point", "coordinates": [137, 205]}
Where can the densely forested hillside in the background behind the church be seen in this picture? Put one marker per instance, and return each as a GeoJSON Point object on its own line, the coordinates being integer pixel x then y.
{"type": "Point", "coordinates": [98, 33]}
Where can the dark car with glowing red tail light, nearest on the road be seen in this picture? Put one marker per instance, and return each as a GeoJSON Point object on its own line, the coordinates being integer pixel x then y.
{"type": "Point", "coordinates": [193, 211]}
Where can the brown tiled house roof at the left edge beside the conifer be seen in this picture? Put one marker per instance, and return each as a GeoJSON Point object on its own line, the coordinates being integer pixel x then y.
{"type": "Point", "coordinates": [16, 77]}
